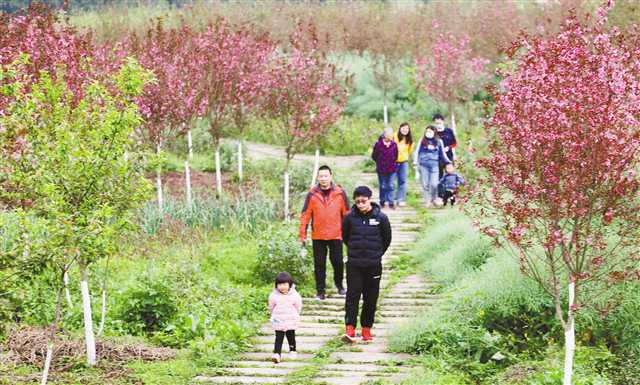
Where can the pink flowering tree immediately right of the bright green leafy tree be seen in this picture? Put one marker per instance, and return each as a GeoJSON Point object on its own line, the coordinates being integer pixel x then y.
{"type": "Point", "coordinates": [173, 100]}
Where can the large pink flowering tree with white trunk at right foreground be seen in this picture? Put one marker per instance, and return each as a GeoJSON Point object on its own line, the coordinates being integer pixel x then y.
{"type": "Point", "coordinates": [561, 182]}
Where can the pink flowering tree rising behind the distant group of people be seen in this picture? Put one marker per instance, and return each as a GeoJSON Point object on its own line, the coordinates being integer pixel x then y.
{"type": "Point", "coordinates": [451, 73]}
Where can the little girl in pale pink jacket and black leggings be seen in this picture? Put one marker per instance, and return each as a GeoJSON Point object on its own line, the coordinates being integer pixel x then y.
{"type": "Point", "coordinates": [285, 304]}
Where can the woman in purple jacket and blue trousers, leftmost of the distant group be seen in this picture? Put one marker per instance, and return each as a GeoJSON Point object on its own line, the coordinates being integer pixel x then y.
{"type": "Point", "coordinates": [385, 154]}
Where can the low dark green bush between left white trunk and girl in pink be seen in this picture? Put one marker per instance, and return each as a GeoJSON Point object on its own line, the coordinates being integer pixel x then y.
{"type": "Point", "coordinates": [149, 305]}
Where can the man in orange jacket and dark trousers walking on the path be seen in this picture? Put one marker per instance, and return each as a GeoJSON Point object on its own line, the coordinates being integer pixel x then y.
{"type": "Point", "coordinates": [325, 207]}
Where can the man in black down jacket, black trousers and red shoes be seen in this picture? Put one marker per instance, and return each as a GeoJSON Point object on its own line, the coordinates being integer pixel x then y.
{"type": "Point", "coordinates": [367, 233]}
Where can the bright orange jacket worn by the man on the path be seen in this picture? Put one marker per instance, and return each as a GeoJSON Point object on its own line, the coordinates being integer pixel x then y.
{"type": "Point", "coordinates": [324, 213]}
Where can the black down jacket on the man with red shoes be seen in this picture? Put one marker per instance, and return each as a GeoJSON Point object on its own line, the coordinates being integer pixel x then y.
{"type": "Point", "coordinates": [367, 236]}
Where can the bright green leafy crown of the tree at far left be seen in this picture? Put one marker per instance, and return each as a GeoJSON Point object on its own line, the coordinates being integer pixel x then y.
{"type": "Point", "coordinates": [69, 169]}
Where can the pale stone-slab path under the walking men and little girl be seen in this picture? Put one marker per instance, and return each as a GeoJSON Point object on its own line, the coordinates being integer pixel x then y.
{"type": "Point", "coordinates": [322, 323]}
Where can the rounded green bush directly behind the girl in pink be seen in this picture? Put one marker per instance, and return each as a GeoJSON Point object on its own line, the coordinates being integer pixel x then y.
{"type": "Point", "coordinates": [279, 250]}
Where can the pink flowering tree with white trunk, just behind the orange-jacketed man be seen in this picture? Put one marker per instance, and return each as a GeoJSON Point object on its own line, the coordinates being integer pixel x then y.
{"type": "Point", "coordinates": [305, 97]}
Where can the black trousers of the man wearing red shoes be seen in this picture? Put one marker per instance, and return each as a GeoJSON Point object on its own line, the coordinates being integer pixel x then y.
{"type": "Point", "coordinates": [363, 281]}
